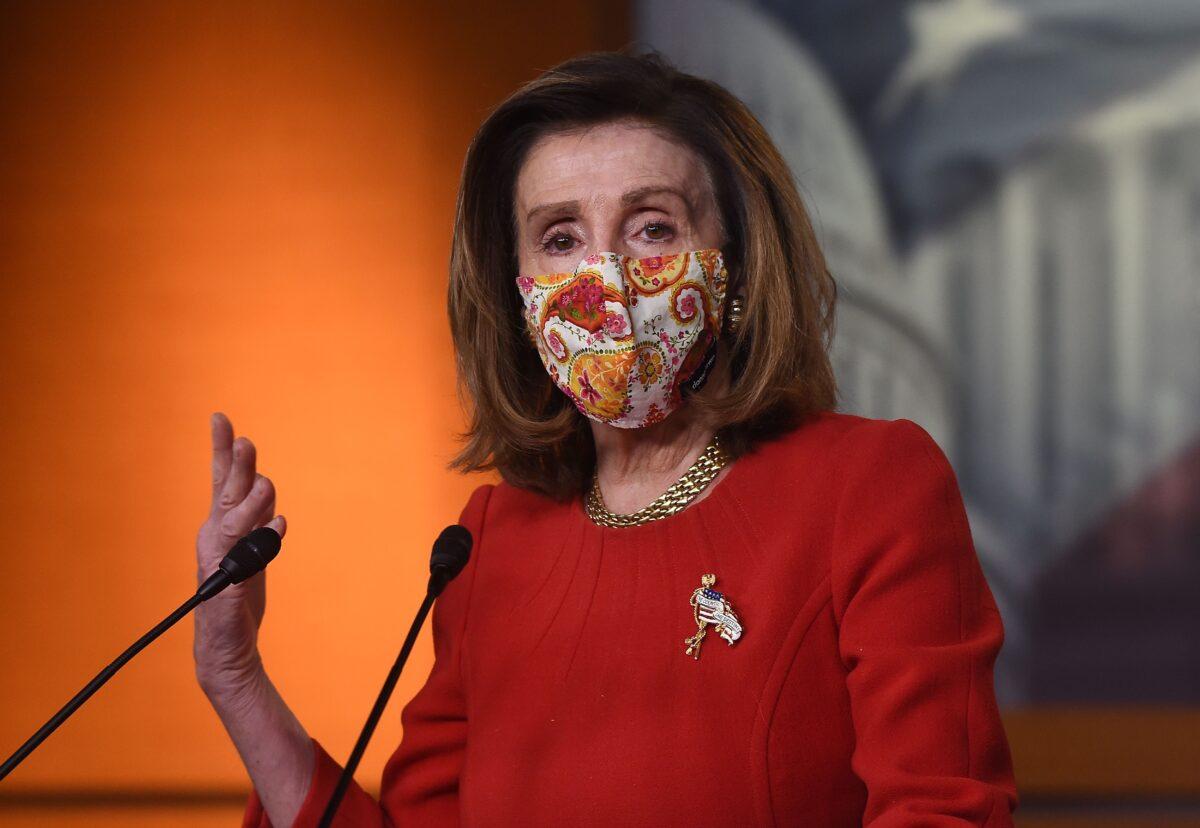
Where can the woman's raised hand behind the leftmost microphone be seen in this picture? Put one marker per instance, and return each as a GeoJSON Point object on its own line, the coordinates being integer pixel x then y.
{"type": "Point", "coordinates": [226, 646]}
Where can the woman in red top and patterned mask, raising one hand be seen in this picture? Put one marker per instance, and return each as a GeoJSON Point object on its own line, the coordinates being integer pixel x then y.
{"type": "Point", "coordinates": [796, 633]}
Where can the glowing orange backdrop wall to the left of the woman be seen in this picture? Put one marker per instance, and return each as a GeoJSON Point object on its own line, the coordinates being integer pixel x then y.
{"type": "Point", "coordinates": [247, 208]}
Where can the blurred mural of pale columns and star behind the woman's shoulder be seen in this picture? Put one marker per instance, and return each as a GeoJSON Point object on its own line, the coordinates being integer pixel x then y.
{"type": "Point", "coordinates": [1010, 197]}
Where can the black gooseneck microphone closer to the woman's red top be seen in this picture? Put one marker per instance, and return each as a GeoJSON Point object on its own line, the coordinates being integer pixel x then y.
{"type": "Point", "coordinates": [452, 551]}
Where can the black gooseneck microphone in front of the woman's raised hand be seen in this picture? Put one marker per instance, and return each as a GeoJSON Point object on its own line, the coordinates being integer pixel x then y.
{"type": "Point", "coordinates": [248, 557]}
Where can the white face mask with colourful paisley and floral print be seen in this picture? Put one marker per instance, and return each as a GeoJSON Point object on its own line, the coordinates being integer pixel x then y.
{"type": "Point", "coordinates": [625, 338]}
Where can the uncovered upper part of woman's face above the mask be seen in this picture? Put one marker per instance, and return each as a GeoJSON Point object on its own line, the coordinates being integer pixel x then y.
{"type": "Point", "coordinates": [619, 188]}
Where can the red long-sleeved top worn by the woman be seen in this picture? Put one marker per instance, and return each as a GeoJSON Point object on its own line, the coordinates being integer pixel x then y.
{"type": "Point", "coordinates": [860, 693]}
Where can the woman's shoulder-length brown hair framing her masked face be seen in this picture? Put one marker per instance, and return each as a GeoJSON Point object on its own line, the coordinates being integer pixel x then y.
{"type": "Point", "coordinates": [772, 371]}
